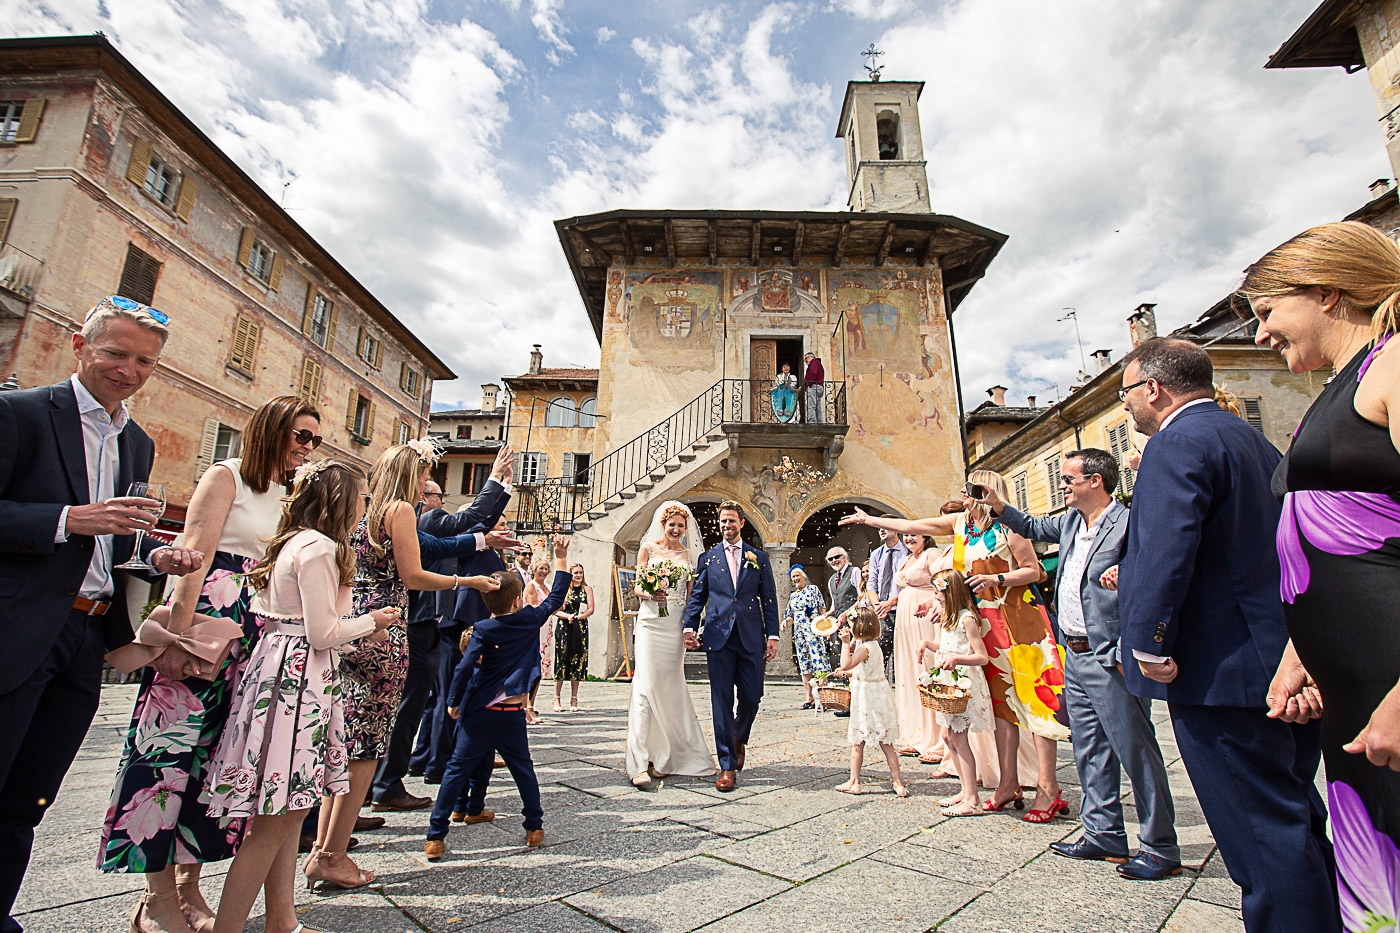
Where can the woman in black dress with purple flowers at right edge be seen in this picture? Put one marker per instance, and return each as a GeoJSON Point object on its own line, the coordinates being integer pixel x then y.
{"type": "Point", "coordinates": [1328, 300]}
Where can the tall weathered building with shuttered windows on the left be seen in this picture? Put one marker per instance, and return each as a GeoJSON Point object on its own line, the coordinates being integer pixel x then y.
{"type": "Point", "coordinates": [111, 190]}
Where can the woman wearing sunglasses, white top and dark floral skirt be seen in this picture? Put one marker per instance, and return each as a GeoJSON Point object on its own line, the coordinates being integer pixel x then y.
{"type": "Point", "coordinates": [156, 826]}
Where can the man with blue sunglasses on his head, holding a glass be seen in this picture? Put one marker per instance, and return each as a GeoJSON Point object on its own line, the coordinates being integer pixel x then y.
{"type": "Point", "coordinates": [68, 455]}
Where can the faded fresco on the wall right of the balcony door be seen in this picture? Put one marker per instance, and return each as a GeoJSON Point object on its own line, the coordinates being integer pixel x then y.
{"type": "Point", "coordinates": [881, 315]}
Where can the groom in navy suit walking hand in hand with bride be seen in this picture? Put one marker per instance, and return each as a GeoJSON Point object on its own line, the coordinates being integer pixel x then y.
{"type": "Point", "coordinates": [737, 583]}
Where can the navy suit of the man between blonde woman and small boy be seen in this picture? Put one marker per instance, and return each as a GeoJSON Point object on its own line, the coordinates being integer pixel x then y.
{"type": "Point", "coordinates": [444, 541]}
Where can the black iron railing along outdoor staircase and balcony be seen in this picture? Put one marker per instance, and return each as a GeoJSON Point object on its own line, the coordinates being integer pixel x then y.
{"type": "Point", "coordinates": [740, 413]}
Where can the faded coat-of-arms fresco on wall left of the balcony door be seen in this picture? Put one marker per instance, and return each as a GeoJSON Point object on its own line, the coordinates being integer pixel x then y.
{"type": "Point", "coordinates": [674, 317]}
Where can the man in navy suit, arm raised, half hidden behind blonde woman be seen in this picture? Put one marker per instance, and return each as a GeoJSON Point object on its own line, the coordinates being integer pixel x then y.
{"type": "Point", "coordinates": [425, 611]}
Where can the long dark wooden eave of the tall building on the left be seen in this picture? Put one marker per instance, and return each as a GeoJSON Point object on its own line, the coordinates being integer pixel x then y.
{"type": "Point", "coordinates": [52, 55]}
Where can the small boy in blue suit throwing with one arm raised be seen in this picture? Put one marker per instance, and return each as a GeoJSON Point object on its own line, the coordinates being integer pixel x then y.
{"type": "Point", "coordinates": [488, 698]}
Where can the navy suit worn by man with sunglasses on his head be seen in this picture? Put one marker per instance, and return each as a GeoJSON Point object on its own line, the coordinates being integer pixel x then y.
{"type": "Point", "coordinates": [54, 655]}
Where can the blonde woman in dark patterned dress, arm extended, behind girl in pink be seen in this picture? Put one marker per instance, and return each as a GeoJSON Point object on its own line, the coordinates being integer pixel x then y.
{"type": "Point", "coordinates": [388, 564]}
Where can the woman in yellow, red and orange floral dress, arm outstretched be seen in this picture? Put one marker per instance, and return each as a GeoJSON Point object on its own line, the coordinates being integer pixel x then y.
{"type": "Point", "coordinates": [1027, 669]}
